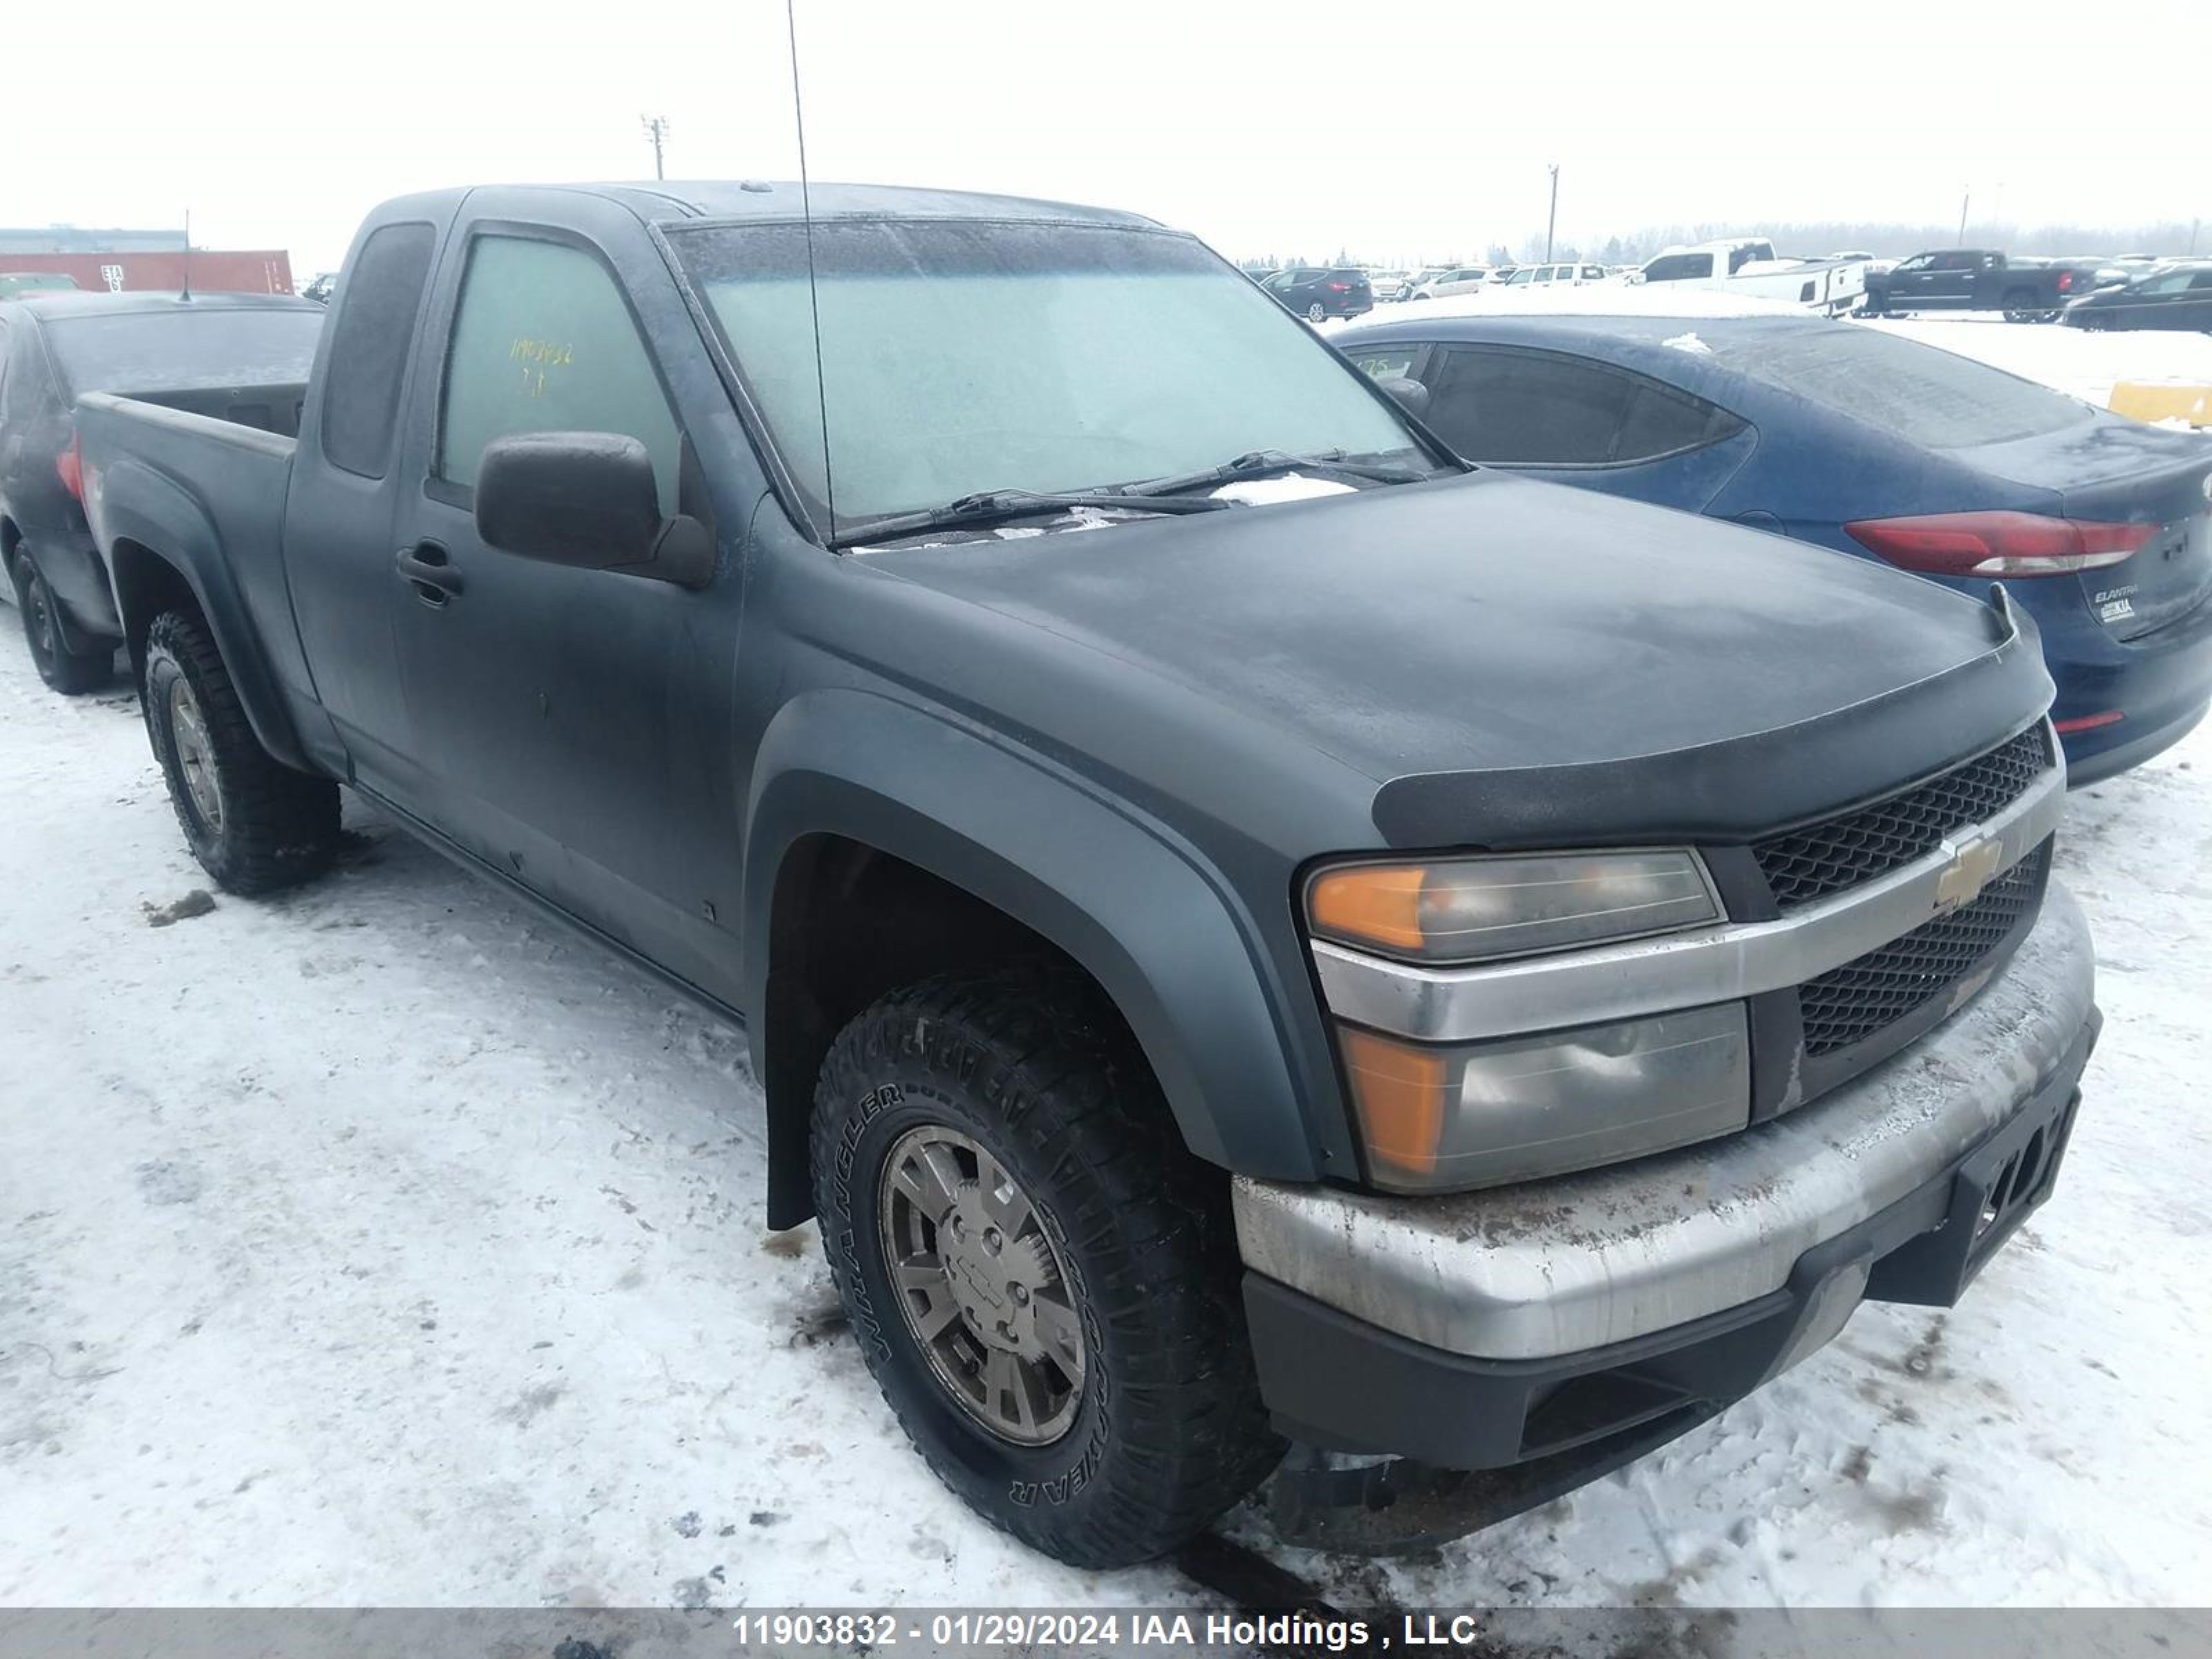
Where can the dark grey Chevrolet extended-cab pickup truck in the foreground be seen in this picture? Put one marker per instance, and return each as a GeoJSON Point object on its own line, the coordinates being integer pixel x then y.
{"type": "Point", "coordinates": [1249, 930]}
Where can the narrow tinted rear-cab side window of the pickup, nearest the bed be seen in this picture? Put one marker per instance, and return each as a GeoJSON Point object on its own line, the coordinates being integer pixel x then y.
{"type": "Point", "coordinates": [371, 344]}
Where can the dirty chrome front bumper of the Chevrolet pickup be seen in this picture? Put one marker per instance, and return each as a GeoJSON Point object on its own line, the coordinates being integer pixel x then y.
{"type": "Point", "coordinates": [1580, 1262]}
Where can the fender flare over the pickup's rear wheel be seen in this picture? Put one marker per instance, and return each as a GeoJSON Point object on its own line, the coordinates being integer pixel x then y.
{"type": "Point", "coordinates": [154, 512]}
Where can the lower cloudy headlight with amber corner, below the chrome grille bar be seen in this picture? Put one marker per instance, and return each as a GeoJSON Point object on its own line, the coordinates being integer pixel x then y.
{"type": "Point", "coordinates": [1468, 1116]}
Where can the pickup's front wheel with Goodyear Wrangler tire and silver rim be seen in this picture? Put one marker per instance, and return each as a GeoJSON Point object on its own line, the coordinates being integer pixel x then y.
{"type": "Point", "coordinates": [1041, 1277]}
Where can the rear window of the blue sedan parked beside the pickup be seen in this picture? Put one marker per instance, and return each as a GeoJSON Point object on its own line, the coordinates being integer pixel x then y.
{"type": "Point", "coordinates": [1919, 393]}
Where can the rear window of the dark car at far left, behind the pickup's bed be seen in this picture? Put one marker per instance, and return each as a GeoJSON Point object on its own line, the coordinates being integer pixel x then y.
{"type": "Point", "coordinates": [180, 351]}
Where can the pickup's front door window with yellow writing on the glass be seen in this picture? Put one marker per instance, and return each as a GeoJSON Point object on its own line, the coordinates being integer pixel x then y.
{"type": "Point", "coordinates": [543, 342]}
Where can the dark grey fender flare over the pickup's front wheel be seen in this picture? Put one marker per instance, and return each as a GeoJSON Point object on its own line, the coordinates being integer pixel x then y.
{"type": "Point", "coordinates": [1140, 910]}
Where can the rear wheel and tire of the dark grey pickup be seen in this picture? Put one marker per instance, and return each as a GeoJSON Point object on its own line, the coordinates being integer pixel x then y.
{"type": "Point", "coordinates": [253, 822]}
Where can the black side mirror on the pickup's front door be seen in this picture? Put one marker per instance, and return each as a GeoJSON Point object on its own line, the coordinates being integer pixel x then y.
{"type": "Point", "coordinates": [585, 499]}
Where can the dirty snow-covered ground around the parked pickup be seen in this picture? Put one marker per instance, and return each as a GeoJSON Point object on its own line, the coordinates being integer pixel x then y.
{"type": "Point", "coordinates": [386, 1246]}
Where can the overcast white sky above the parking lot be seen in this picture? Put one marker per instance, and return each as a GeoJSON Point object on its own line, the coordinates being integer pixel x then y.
{"type": "Point", "coordinates": [1277, 127]}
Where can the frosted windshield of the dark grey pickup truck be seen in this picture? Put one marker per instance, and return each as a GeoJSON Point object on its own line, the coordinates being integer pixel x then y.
{"type": "Point", "coordinates": [970, 357]}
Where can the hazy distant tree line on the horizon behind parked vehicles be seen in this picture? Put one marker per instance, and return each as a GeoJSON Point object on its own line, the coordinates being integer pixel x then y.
{"type": "Point", "coordinates": [1886, 240]}
